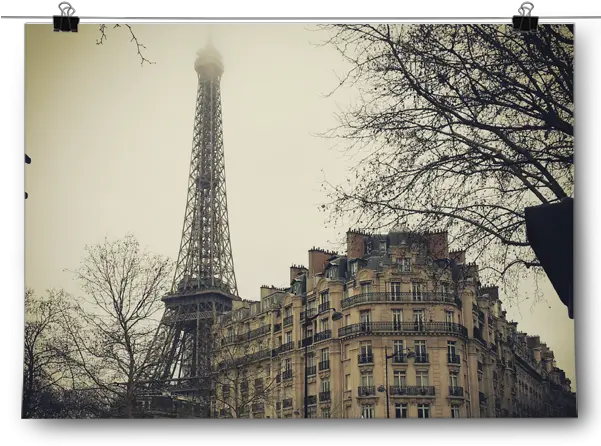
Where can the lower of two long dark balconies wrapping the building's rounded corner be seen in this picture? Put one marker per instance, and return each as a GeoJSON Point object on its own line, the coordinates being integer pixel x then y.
{"type": "Point", "coordinates": [368, 328]}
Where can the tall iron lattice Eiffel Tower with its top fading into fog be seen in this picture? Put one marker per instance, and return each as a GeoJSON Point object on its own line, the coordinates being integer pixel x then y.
{"type": "Point", "coordinates": [204, 284]}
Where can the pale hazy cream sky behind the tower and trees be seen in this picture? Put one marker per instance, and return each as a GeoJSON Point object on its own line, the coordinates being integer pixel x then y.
{"type": "Point", "coordinates": [110, 144]}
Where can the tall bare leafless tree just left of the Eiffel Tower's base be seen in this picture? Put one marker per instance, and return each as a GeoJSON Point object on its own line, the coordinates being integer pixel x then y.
{"type": "Point", "coordinates": [122, 286]}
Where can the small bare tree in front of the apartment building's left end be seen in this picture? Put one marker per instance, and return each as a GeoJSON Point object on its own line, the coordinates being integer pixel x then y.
{"type": "Point", "coordinates": [243, 379]}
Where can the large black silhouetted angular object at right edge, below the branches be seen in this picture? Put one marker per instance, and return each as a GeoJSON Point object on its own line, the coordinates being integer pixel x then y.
{"type": "Point", "coordinates": [550, 231]}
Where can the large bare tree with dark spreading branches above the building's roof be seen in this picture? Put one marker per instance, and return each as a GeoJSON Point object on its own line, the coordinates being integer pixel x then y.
{"type": "Point", "coordinates": [466, 125]}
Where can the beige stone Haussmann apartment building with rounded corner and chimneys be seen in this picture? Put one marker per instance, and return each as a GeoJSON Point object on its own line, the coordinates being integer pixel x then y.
{"type": "Point", "coordinates": [418, 337]}
